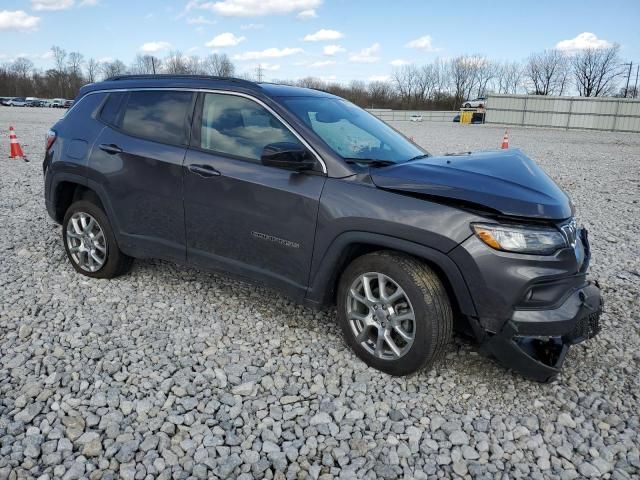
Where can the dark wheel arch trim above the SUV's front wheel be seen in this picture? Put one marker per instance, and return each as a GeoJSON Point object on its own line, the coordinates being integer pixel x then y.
{"type": "Point", "coordinates": [351, 245]}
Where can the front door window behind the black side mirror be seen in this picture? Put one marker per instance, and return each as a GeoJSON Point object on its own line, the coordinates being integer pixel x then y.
{"type": "Point", "coordinates": [239, 126]}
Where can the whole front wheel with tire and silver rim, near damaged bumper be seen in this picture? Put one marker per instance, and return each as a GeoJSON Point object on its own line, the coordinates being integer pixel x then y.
{"type": "Point", "coordinates": [394, 312]}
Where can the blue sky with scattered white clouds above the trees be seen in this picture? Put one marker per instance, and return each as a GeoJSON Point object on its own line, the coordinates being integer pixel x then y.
{"type": "Point", "coordinates": [331, 39]}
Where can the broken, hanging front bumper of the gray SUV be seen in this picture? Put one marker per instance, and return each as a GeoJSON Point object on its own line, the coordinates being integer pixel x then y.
{"type": "Point", "coordinates": [535, 342]}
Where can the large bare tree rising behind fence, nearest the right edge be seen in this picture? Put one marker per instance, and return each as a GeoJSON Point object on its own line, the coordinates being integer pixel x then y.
{"type": "Point", "coordinates": [595, 71]}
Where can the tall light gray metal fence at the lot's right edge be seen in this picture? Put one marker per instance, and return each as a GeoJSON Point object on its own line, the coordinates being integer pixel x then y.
{"type": "Point", "coordinates": [613, 114]}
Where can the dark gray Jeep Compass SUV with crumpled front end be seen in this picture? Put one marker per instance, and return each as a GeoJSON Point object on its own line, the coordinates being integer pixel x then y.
{"type": "Point", "coordinates": [306, 192]}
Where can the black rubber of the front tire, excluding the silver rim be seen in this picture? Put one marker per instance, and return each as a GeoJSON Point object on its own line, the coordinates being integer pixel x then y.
{"type": "Point", "coordinates": [428, 297]}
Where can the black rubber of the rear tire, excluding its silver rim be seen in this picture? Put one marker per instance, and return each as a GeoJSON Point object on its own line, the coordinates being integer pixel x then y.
{"type": "Point", "coordinates": [116, 263]}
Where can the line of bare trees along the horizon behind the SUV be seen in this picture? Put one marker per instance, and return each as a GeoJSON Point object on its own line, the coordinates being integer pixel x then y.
{"type": "Point", "coordinates": [441, 84]}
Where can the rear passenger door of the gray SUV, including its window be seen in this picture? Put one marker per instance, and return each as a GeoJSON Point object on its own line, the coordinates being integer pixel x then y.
{"type": "Point", "coordinates": [137, 160]}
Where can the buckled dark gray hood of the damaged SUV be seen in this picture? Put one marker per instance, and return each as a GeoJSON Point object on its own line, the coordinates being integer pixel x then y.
{"type": "Point", "coordinates": [504, 180]}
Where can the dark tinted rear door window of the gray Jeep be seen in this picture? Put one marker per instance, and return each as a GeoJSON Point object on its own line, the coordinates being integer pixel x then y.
{"type": "Point", "coordinates": [159, 116]}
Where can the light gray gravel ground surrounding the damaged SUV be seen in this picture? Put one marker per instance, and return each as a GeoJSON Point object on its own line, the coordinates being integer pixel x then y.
{"type": "Point", "coordinates": [172, 372]}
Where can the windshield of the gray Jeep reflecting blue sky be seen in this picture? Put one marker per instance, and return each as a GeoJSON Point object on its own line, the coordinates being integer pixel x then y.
{"type": "Point", "coordinates": [350, 131]}
